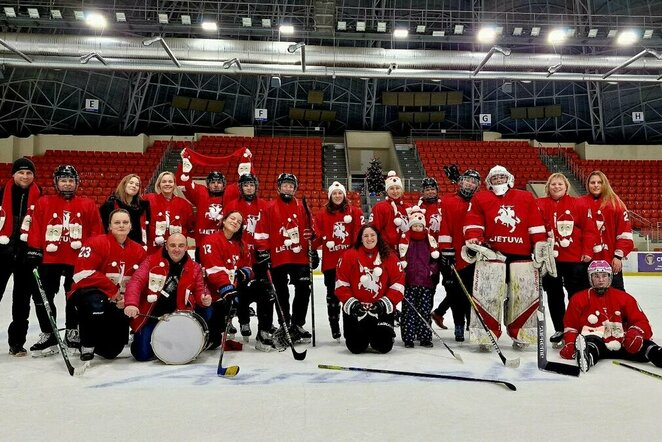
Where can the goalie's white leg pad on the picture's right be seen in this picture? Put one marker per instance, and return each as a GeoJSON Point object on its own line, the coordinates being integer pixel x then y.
{"type": "Point", "coordinates": [523, 299]}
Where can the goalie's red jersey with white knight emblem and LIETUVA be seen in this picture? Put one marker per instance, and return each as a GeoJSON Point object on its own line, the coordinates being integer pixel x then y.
{"type": "Point", "coordinates": [510, 223]}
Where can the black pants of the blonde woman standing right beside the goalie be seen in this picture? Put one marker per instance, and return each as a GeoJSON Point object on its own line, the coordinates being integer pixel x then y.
{"type": "Point", "coordinates": [572, 276]}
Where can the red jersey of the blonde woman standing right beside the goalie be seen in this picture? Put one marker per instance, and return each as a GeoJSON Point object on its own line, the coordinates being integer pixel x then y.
{"type": "Point", "coordinates": [569, 220]}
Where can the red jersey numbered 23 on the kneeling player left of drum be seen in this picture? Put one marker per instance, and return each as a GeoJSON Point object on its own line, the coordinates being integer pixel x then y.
{"type": "Point", "coordinates": [106, 265]}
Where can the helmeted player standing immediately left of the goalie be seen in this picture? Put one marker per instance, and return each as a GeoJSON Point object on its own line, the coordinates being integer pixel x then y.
{"type": "Point", "coordinates": [453, 211]}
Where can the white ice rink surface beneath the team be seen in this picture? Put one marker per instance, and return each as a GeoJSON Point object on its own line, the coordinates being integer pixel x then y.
{"type": "Point", "coordinates": [277, 398]}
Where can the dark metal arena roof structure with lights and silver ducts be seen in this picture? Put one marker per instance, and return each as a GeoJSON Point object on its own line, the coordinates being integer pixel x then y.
{"type": "Point", "coordinates": [149, 52]}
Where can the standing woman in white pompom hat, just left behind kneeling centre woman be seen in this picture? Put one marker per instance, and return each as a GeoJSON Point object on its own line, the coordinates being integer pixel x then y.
{"type": "Point", "coordinates": [337, 224]}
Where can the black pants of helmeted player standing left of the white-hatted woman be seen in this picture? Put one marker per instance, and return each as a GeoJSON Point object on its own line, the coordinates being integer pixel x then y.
{"type": "Point", "coordinates": [299, 276]}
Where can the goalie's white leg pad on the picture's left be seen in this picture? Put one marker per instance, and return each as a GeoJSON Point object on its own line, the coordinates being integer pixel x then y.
{"type": "Point", "coordinates": [489, 292]}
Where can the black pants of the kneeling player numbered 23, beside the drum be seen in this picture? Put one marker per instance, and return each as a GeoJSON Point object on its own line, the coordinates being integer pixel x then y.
{"type": "Point", "coordinates": [102, 325]}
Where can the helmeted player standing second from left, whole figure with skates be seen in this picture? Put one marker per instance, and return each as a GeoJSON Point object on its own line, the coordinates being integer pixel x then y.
{"type": "Point", "coordinates": [60, 225]}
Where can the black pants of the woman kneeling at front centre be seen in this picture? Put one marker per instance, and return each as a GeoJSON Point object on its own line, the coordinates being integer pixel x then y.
{"type": "Point", "coordinates": [370, 331]}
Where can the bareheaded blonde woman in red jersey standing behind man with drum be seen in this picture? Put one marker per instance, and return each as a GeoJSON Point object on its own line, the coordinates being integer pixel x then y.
{"type": "Point", "coordinates": [170, 212]}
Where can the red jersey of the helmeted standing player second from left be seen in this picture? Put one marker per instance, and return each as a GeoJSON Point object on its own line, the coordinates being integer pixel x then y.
{"type": "Point", "coordinates": [59, 227]}
